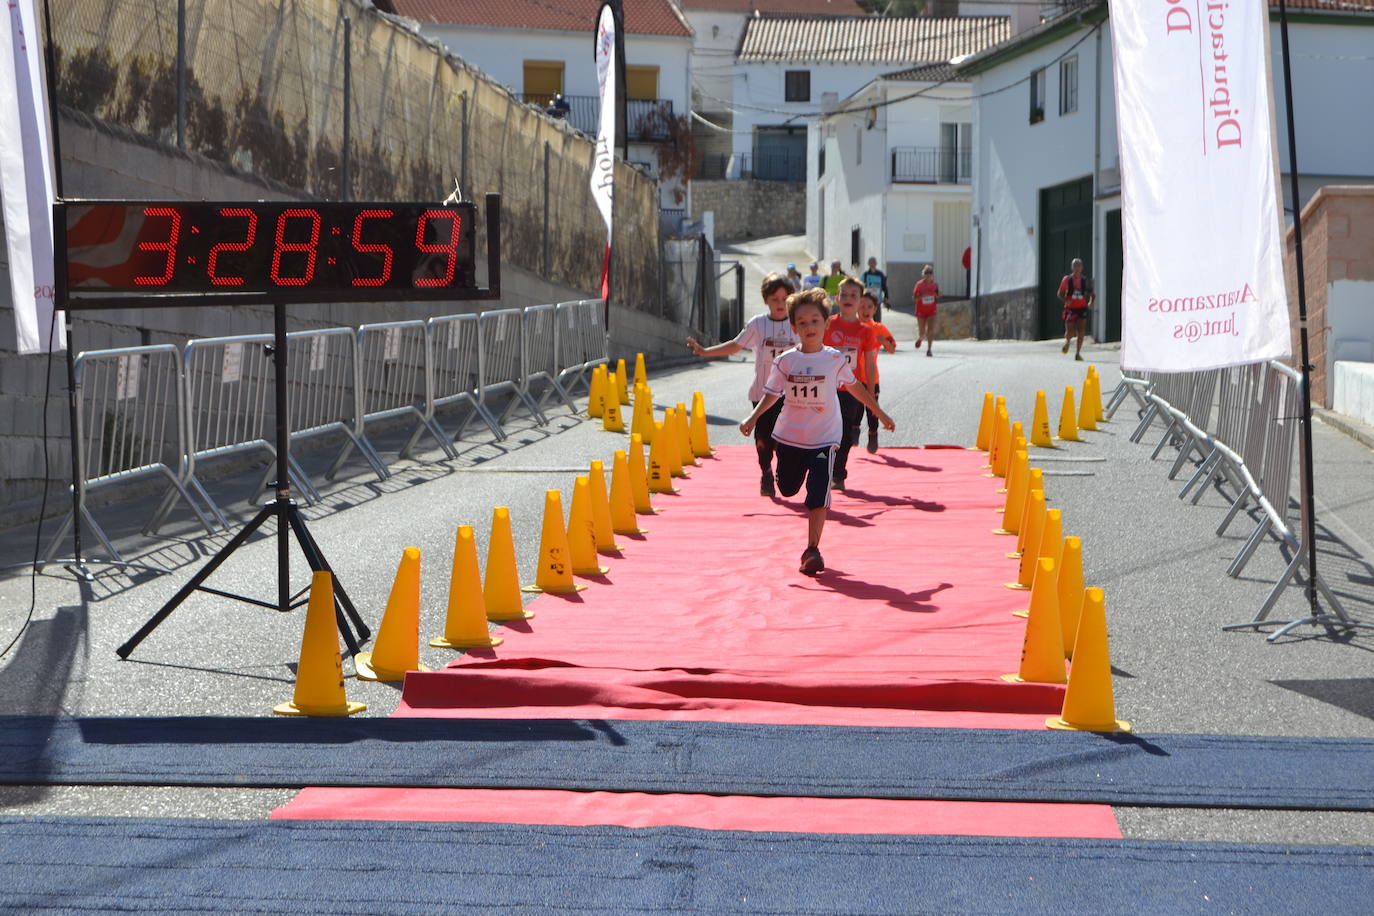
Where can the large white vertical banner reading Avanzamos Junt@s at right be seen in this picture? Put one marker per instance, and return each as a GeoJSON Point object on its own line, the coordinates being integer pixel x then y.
{"type": "Point", "coordinates": [1203, 284]}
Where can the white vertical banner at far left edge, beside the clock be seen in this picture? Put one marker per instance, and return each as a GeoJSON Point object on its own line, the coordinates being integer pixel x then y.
{"type": "Point", "coordinates": [27, 176]}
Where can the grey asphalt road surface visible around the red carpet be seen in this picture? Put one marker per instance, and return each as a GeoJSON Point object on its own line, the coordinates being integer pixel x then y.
{"type": "Point", "coordinates": [1158, 558]}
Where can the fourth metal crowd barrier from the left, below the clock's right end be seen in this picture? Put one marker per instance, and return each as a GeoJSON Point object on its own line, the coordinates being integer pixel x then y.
{"type": "Point", "coordinates": [395, 380]}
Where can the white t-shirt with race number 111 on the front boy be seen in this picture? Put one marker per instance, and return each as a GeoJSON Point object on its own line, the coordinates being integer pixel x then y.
{"type": "Point", "coordinates": [810, 385]}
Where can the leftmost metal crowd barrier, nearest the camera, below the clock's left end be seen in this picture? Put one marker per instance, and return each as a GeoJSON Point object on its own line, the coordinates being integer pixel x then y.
{"type": "Point", "coordinates": [131, 422]}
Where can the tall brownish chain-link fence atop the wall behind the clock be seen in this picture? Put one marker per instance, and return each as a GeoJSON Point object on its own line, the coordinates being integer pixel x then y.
{"type": "Point", "coordinates": [271, 89]}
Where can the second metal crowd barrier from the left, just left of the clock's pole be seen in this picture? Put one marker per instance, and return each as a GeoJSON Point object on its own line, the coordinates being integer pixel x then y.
{"type": "Point", "coordinates": [230, 410]}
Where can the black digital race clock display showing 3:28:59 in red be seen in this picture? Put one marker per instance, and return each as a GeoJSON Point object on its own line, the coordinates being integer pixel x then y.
{"type": "Point", "coordinates": [141, 253]}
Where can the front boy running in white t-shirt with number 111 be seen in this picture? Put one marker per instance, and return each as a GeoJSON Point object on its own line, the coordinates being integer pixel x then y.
{"type": "Point", "coordinates": [810, 428]}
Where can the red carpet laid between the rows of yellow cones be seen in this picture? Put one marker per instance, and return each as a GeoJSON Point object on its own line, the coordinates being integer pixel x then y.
{"type": "Point", "coordinates": [707, 619]}
